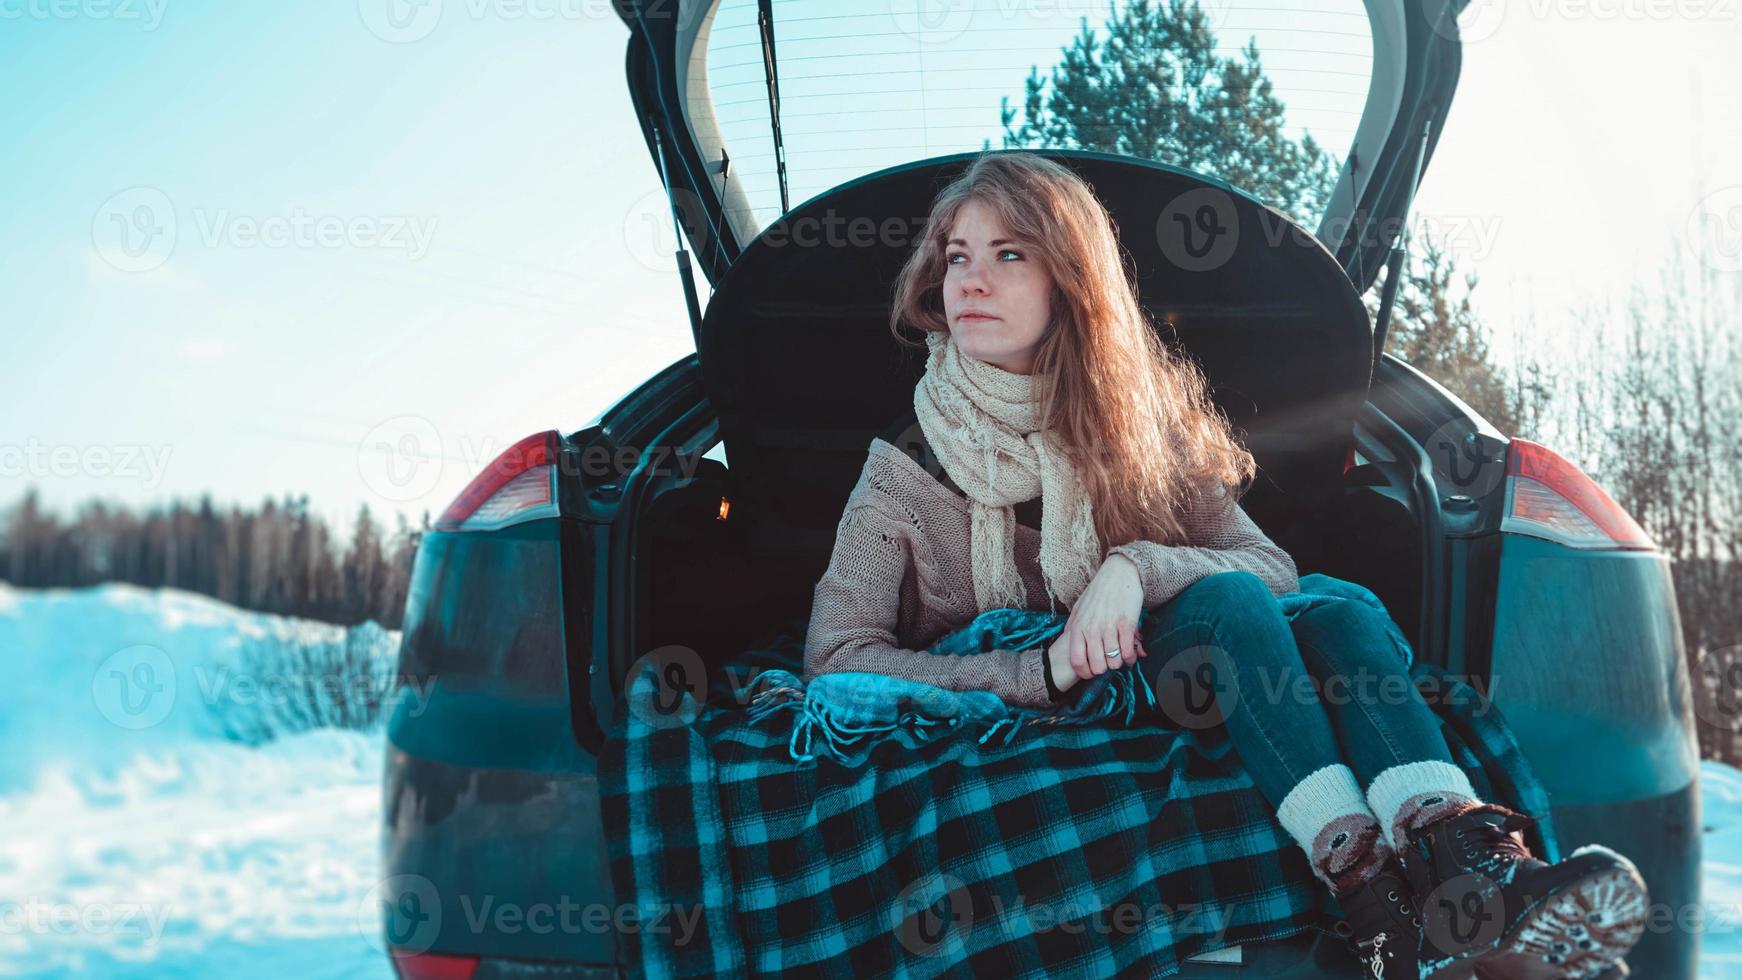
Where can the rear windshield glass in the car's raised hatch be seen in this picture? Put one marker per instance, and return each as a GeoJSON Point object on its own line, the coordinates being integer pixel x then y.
{"type": "Point", "coordinates": [1264, 95]}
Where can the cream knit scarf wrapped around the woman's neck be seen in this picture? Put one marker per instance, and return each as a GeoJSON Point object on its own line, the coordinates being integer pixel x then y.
{"type": "Point", "coordinates": [985, 427]}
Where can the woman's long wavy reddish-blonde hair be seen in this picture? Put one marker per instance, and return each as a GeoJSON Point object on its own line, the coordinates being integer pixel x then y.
{"type": "Point", "coordinates": [1131, 413]}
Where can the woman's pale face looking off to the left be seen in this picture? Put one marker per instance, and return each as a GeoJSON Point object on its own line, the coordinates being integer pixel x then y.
{"type": "Point", "coordinates": [997, 293]}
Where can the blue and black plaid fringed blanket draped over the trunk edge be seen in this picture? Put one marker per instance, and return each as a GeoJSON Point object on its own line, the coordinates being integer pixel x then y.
{"type": "Point", "coordinates": [945, 836]}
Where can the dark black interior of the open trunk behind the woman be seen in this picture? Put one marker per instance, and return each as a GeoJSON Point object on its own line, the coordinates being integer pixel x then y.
{"type": "Point", "coordinates": [802, 373]}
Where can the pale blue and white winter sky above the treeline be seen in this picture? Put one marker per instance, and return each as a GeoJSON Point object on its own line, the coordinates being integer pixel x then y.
{"type": "Point", "coordinates": [454, 238]}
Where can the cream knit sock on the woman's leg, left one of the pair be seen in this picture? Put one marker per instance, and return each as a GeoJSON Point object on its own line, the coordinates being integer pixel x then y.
{"type": "Point", "coordinates": [1328, 817]}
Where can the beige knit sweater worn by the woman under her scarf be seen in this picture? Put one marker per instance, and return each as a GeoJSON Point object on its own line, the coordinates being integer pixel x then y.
{"type": "Point", "coordinates": [900, 581]}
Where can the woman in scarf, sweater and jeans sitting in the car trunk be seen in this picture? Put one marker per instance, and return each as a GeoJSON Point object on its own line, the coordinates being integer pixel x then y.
{"type": "Point", "coordinates": [1079, 460]}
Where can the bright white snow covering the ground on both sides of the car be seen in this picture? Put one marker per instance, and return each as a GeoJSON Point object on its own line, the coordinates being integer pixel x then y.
{"type": "Point", "coordinates": [175, 802]}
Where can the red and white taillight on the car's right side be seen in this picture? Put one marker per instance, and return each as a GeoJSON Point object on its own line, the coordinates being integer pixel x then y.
{"type": "Point", "coordinates": [1553, 499]}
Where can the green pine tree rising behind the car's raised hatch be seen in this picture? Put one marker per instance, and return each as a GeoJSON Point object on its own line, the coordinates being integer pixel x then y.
{"type": "Point", "coordinates": [1156, 88]}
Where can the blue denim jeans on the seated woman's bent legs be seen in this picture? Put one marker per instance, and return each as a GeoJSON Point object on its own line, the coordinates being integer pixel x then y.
{"type": "Point", "coordinates": [1295, 695]}
